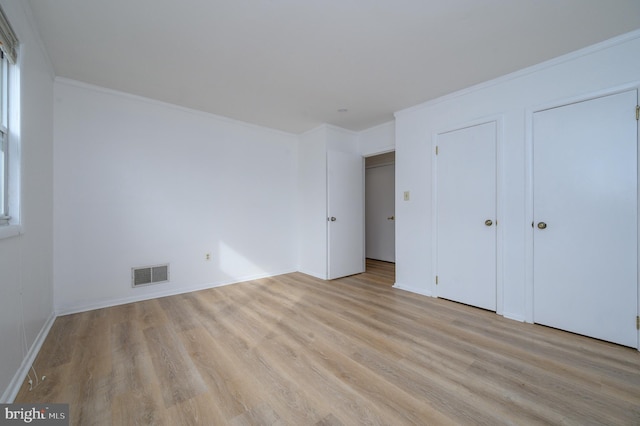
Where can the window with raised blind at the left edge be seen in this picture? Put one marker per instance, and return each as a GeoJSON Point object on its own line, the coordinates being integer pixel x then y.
{"type": "Point", "coordinates": [8, 152]}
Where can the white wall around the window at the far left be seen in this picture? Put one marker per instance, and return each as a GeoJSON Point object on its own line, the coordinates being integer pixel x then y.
{"type": "Point", "coordinates": [26, 259]}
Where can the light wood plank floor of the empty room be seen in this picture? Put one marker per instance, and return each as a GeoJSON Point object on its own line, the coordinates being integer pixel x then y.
{"type": "Point", "coordinates": [295, 350]}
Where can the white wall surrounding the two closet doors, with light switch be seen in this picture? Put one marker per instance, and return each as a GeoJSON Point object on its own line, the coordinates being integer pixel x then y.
{"type": "Point", "coordinates": [513, 99]}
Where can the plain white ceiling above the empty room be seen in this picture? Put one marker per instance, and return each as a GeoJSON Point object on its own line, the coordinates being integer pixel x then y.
{"type": "Point", "coordinates": [291, 64]}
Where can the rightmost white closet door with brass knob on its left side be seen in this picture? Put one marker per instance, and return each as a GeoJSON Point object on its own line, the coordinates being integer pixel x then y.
{"type": "Point", "coordinates": [585, 218]}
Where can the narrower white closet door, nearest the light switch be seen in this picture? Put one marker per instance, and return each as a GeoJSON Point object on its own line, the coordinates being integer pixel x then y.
{"type": "Point", "coordinates": [466, 215]}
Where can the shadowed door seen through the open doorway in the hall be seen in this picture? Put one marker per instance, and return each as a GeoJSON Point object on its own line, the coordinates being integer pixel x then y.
{"type": "Point", "coordinates": [380, 213]}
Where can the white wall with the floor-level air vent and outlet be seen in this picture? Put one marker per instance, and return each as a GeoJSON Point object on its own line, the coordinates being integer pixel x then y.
{"type": "Point", "coordinates": [140, 183]}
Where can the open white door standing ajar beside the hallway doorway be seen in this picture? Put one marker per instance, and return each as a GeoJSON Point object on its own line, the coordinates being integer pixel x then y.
{"type": "Point", "coordinates": [345, 214]}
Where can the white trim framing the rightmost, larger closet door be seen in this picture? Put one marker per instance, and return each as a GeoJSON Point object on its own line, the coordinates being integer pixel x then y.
{"type": "Point", "coordinates": [528, 160]}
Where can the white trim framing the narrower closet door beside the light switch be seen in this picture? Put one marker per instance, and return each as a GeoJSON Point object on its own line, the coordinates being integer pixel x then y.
{"type": "Point", "coordinates": [499, 121]}
